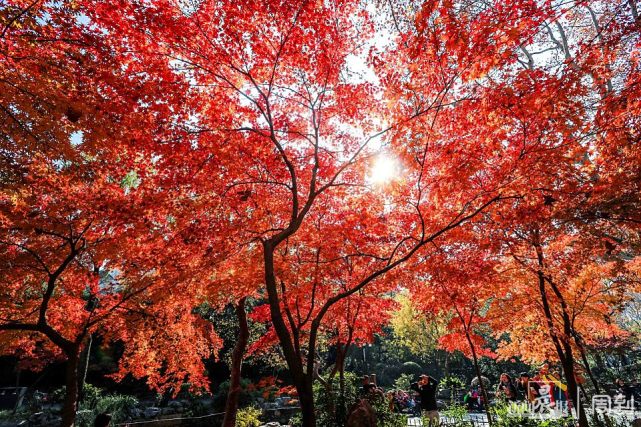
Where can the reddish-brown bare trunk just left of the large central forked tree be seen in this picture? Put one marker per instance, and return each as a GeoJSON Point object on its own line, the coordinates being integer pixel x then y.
{"type": "Point", "coordinates": [231, 406]}
